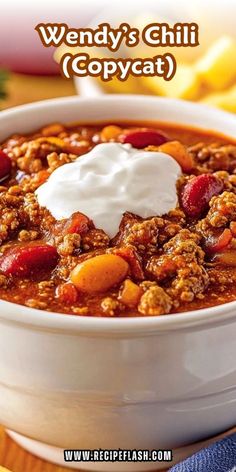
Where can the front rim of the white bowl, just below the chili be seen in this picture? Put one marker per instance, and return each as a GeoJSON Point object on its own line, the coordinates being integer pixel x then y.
{"type": "Point", "coordinates": [32, 318]}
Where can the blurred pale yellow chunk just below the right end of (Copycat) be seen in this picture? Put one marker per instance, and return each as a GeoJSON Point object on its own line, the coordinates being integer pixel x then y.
{"type": "Point", "coordinates": [185, 84]}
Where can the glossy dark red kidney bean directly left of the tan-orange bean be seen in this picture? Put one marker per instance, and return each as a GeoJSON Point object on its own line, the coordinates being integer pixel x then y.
{"type": "Point", "coordinates": [28, 260]}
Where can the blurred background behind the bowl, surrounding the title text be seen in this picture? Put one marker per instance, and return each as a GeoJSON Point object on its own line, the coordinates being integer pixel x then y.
{"type": "Point", "coordinates": [206, 73]}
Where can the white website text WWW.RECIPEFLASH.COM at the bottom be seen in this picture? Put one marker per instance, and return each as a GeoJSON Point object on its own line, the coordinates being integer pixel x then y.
{"type": "Point", "coordinates": [118, 455]}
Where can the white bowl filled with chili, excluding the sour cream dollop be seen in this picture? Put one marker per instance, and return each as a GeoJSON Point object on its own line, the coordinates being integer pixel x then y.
{"type": "Point", "coordinates": [85, 368]}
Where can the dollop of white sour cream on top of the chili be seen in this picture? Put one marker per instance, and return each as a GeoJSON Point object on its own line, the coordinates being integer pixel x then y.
{"type": "Point", "coordinates": [110, 179]}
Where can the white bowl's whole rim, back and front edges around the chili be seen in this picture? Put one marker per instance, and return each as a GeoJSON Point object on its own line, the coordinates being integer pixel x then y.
{"type": "Point", "coordinates": [150, 325]}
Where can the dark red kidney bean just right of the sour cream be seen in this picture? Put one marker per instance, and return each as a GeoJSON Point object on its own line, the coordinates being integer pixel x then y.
{"type": "Point", "coordinates": [198, 192]}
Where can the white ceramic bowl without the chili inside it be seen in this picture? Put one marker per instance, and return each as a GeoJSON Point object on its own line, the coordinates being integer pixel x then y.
{"type": "Point", "coordinates": [155, 382]}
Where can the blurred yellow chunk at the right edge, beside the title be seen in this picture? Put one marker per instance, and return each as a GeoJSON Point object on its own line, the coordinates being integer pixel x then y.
{"type": "Point", "coordinates": [218, 66]}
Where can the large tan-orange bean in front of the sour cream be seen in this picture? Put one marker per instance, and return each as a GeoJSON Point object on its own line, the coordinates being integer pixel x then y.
{"type": "Point", "coordinates": [99, 273]}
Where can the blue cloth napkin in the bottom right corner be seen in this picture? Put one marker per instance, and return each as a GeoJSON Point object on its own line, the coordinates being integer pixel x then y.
{"type": "Point", "coordinates": [218, 457]}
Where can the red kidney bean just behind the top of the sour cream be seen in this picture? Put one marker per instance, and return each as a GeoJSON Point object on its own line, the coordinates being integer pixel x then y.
{"type": "Point", "coordinates": [144, 137]}
